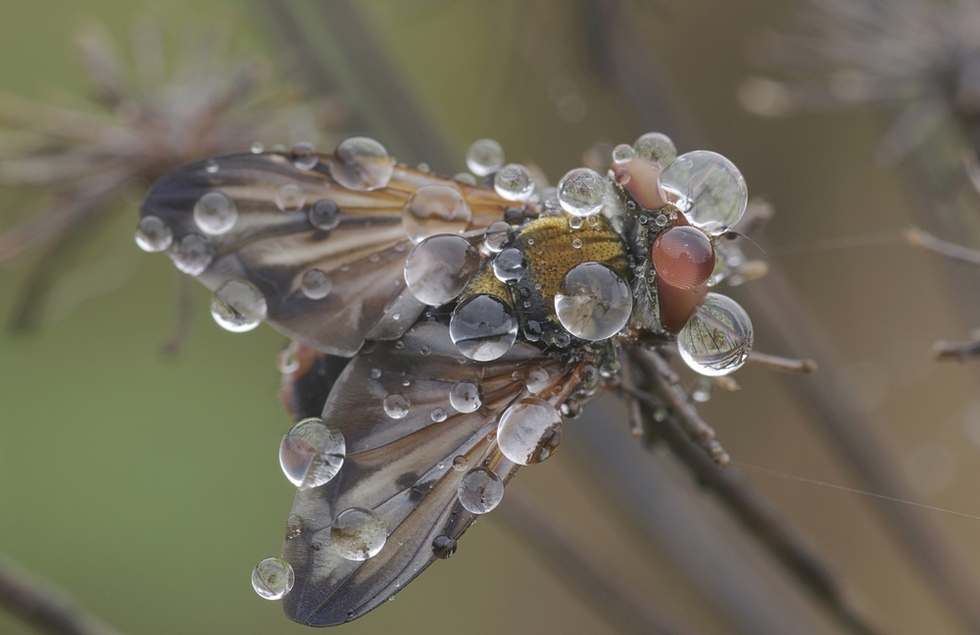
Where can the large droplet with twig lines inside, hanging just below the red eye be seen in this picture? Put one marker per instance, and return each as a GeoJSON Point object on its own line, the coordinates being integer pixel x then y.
{"type": "Point", "coordinates": [718, 338]}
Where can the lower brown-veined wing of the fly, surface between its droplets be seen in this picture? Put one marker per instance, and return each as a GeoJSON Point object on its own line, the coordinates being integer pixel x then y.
{"type": "Point", "coordinates": [402, 469]}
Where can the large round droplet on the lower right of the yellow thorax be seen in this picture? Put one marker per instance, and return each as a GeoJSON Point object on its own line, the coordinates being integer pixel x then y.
{"type": "Point", "coordinates": [593, 302]}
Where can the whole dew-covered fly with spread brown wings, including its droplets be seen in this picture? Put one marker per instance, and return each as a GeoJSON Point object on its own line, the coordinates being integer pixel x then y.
{"type": "Point", "coordinates": [440, 329]}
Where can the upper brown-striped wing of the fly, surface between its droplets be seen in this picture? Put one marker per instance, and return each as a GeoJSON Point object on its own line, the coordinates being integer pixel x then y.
{"type": "Point", "coordinates": [364, 254]}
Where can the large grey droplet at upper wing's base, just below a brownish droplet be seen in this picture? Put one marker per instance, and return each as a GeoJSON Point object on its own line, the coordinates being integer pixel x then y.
{"type": "Point", "coordinates": [438, 268]}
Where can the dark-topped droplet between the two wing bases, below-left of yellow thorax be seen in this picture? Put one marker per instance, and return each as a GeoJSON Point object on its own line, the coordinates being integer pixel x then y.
{"type": "Point", "coordinates": [483, 327]}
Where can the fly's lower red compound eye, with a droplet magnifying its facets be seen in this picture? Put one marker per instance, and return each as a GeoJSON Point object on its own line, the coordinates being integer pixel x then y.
{"type": "Point", "coordinates": [684, 259]}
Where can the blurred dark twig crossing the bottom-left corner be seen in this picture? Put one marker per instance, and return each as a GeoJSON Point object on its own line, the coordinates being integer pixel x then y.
{"type": "Point", "coordinates": [45, 607]}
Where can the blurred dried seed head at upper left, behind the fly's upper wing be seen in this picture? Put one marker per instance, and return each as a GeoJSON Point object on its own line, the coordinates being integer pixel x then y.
{"type": "Point", "coordinates": [145, 119]}
